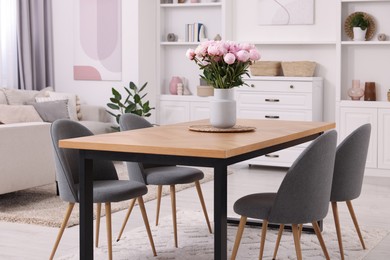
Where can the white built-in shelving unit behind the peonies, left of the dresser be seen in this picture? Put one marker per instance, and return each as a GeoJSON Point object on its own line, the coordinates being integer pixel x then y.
{"type": "Point", "coordinates": [172, 18]}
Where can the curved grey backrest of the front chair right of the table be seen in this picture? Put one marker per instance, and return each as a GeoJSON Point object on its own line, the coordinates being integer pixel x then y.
{"type": "Point", "coordinates": [304, 193]}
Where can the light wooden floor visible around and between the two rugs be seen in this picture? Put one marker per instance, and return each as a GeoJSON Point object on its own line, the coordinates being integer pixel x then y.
{"type": "Point", "coordinates": [20, 241]}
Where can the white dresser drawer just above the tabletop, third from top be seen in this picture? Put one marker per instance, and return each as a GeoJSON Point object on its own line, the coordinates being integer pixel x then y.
{"type": "Point", "coordinates": [296, 115]}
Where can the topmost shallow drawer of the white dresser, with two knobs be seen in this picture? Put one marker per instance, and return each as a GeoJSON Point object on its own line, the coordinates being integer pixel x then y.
{"type": "Point", "coordinates": [280, 86]}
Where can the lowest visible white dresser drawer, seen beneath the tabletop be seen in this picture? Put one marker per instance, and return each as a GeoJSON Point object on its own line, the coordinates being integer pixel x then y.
{"type": "Point", "coordinates": [283, 158]}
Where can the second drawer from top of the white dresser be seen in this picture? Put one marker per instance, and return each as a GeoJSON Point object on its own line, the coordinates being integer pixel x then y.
{"type": "Point", "coordinates": [255, 100]}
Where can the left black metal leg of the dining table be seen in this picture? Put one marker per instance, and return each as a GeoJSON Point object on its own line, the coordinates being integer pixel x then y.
{"type": "Point", "coordinates": [86, 208]}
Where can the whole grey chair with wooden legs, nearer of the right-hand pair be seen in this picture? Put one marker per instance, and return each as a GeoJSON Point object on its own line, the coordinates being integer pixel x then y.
{"type": "Point", "coordinates": [303, 196]}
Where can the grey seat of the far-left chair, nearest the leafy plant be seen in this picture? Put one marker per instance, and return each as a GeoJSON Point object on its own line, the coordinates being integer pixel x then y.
{"type": "Point", "coordinates": [171, 175]}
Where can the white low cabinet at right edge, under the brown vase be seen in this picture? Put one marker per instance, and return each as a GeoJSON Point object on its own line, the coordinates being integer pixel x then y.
{"type": "Point", "coordinates": [352, 117]}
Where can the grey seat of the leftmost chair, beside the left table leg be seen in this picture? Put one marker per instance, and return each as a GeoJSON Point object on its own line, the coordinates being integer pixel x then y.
{"type": "Point", "coordinates": [116, 190]}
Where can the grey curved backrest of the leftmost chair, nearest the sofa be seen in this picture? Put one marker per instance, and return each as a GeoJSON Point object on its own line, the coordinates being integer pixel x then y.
{"type": "Point", "coordinates": [67, 160]}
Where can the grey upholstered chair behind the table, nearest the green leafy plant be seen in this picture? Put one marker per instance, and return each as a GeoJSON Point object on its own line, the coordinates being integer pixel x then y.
{"type": "Point", "coordinates": [153, 174]}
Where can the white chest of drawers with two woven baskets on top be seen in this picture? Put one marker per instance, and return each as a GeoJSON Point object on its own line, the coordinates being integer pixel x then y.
{"type": "Point", "coordinates": [281, 98]}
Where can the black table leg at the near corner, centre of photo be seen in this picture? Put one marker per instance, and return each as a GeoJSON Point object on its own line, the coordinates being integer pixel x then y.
{"type": "Point", "coordinates": [220, 212]}
